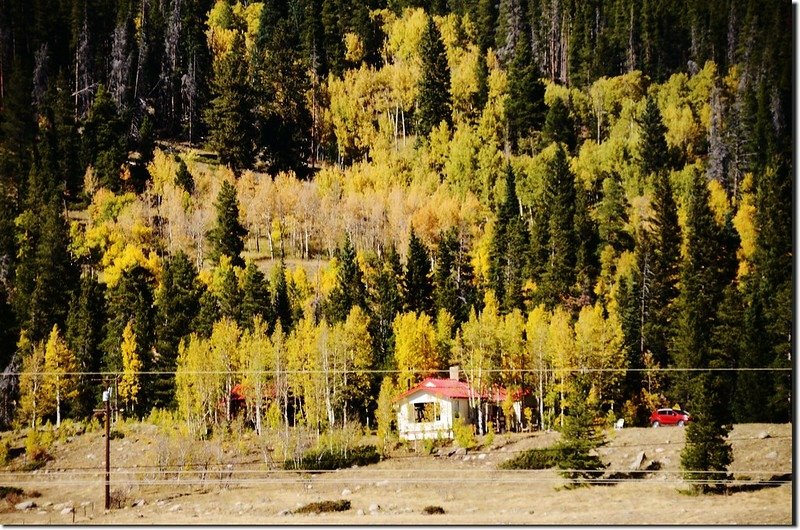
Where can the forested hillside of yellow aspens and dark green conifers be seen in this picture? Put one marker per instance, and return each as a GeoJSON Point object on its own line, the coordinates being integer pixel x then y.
{"type": "Point", "coordinates": [324, 202]}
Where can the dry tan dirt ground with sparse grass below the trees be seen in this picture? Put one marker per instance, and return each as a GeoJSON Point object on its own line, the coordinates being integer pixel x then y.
{"type": "Point", "coordinates": [469, 488]}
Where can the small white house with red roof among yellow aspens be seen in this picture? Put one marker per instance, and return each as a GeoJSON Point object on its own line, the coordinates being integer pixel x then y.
{"type": "Point", "coordinates": [428, 410]}
